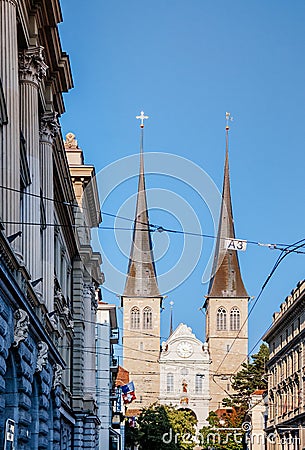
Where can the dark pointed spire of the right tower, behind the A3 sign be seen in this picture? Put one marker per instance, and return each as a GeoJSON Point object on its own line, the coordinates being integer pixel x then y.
{"type": "Point", "coordinates": [227, 280]}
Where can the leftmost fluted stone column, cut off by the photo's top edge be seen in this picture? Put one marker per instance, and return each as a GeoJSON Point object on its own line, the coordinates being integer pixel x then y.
{"type": "Point", "coordinates": [10, 158]}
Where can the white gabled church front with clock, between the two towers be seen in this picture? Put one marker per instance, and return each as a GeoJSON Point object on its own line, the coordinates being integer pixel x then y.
{"type": "Point", "coordinates": [184, 373]}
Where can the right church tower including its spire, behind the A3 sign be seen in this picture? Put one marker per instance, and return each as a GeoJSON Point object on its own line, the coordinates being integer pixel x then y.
{"type": "Point", "coordinates": [226, 305]}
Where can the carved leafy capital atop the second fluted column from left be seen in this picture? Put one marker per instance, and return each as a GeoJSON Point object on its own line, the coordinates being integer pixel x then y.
{"type": "Point", "coordinates": [32, 67]}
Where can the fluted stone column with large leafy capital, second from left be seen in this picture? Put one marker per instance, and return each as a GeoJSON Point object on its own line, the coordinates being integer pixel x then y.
{"type": "Point", "coordinates": [31, 69]}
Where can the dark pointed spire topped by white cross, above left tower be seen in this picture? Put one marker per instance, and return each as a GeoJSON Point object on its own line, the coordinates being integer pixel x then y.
{"type": "Point", "coordinates": [141, 277]}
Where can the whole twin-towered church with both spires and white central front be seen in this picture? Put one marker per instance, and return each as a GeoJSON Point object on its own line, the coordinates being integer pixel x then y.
{"type": "Point", "coordinates": [187, 373]}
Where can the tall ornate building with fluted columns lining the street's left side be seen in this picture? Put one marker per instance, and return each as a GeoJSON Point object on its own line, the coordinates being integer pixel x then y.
{"type": "Point", "coordinates": [49, 274]}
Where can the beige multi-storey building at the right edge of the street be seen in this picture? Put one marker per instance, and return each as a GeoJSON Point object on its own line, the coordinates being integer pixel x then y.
{"type": "Point", "coordinates": [286, 380]}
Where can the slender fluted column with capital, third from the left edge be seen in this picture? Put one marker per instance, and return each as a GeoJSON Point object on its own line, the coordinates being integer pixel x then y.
{"type": "Point", "coordinates": [48, 130]}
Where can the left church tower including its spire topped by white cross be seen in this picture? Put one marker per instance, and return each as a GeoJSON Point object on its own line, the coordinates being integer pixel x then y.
{"type": "Point", "coordinates": [141, 303]}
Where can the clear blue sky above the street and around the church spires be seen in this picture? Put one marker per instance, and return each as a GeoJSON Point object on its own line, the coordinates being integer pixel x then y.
{"type": "Point", "coordinates": [187, 62]}
